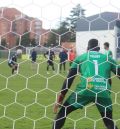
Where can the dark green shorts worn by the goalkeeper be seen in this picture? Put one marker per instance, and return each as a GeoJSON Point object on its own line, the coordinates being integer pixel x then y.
{"type": "Point", "coordinates": [80, 101]}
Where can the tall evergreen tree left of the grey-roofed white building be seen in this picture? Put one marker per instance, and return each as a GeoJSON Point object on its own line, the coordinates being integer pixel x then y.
{"type": "Point", "coordinates": [70, 23]}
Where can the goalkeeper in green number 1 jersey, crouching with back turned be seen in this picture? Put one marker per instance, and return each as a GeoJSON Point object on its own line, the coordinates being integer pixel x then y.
{"type": "Point", "coordinates": [94, 86]}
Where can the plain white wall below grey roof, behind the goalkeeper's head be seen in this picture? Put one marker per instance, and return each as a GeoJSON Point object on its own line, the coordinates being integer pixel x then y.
{"type": "Point", "coordinates": [82, 39]}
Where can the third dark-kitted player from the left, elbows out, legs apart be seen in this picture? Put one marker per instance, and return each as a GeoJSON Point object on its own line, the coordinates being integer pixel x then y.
{"type": "Point", "coordinates": [50, 55]}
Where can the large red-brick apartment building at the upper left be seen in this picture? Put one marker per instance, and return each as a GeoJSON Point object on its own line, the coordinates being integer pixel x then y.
{"type": "Point", "coordinates": [21, 24]}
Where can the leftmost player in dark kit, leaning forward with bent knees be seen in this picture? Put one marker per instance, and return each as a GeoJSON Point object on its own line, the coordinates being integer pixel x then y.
{"type": "Point", "coordinates": [12, 63]}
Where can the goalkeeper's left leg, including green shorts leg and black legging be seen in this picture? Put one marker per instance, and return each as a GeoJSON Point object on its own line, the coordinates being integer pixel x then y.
{"type": "Point", "coordinates": [69, 106]}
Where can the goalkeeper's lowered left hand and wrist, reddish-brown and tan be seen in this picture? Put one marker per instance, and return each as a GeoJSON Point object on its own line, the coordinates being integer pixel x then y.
{"type": "Point", "coordinates": [60, 99]}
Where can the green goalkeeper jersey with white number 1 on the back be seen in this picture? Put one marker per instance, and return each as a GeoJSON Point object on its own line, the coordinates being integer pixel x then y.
{"type": "Point", "coordinates": [95, 69]}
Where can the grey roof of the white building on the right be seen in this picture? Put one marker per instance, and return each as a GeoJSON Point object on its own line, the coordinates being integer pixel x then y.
{"type": "Point", "coordinates": [102, 21]}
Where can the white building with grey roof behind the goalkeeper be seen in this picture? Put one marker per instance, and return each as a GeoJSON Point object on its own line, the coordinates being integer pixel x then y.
{"type": "Point", "coordinates": [105, 27]}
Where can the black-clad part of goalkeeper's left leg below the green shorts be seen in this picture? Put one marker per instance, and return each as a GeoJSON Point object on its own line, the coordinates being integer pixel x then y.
{"type": "Point", "coordinates": [61, 116]}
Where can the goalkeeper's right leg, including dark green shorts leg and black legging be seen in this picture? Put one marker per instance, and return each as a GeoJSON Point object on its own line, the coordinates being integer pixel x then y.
{"type": "Point", "coordinates": [106, 114]}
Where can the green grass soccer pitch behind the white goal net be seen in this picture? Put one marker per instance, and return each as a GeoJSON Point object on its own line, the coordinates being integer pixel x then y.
{"type": "Point", "coordinates": [27, 98]}
